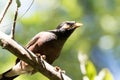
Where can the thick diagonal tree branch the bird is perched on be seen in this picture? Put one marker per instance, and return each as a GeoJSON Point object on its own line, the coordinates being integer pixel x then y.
{"type": "Point", "coordinates": [49, 71]}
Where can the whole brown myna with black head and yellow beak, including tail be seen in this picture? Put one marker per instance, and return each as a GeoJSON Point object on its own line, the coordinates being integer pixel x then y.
{"type": "Point", "coordinates": [48, 43]}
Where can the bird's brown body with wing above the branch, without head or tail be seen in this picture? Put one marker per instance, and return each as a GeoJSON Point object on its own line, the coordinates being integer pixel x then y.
{"type": "Point", "coordinates": [46, 43]}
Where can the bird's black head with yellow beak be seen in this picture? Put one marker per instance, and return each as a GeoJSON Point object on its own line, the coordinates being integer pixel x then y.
{"type": "Point", "coordinates": [66, 28]}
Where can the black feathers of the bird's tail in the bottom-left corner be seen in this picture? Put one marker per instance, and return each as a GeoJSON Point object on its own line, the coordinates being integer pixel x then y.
{"type": "Point", "coordinates": [6, 76]}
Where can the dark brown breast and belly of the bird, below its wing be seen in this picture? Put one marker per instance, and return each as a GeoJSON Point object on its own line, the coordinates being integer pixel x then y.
{"type": "Point", "coordinates": [50, 49]}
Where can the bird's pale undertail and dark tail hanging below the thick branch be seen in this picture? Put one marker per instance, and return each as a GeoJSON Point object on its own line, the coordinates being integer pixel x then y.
{"type": "Point", "coordinates": [20, 68]}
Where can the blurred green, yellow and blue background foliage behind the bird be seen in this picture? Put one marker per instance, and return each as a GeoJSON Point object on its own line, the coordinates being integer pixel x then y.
{"type": "Point", "coordinates": [91, 53]}
